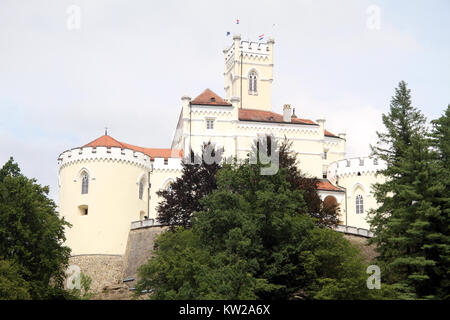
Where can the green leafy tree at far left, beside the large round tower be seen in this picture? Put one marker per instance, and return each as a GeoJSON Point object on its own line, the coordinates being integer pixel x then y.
{"type": "Point", "coordinates": [32, 233]}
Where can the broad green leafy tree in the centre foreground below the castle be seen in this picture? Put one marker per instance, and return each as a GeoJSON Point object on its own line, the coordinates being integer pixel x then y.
{"type": "Point", "coordinates": [253, 239]}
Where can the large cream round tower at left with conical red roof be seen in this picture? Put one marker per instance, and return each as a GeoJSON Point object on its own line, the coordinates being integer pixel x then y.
{"type": "Point", "coordinates": [103, 187]}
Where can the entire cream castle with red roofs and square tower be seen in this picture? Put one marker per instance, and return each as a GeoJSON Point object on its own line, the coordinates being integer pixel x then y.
{"type": "Point", "coordinates": [106, 185]}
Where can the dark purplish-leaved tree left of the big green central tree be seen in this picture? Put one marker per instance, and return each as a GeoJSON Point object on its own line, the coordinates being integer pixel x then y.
{"type": "Point", "coordinates": [181, 199]}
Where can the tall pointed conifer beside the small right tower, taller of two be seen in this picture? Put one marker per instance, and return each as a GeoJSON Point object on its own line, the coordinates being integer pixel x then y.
{"type": "Point", "coordinates": [404, 225]}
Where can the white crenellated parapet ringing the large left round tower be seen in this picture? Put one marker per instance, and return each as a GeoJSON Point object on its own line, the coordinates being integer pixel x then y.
{"type": "Point", "coordinates": [85, 154]}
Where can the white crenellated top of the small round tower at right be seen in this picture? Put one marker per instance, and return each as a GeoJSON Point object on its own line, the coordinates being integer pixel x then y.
{"type": "Point", "coordinates": [354, 166]}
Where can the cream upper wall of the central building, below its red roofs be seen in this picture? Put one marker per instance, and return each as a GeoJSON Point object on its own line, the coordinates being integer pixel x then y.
{"type": "Point", "coordinates": [237, 137]}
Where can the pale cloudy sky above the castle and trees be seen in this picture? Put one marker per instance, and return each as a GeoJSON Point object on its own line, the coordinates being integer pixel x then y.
{"type": "Point", "coordinates": [68, 69]}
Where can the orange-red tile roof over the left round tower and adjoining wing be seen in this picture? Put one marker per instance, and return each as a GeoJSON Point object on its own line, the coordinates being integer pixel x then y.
{"type": "Point", "coordinates": [108, 141]}
